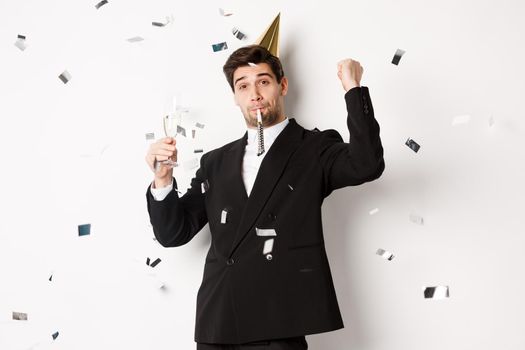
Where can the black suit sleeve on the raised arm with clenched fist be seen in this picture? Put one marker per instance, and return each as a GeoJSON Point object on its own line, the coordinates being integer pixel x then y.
{"type": "Point", "coordinates": [360, 160]}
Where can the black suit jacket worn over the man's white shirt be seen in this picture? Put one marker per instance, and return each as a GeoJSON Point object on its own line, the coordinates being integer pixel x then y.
{"type": "Point", "coordinates": [246, 295]}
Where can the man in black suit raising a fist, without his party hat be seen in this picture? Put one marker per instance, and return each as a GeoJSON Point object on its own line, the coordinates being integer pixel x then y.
{"type": "Point", "coordinates": [267, 281]}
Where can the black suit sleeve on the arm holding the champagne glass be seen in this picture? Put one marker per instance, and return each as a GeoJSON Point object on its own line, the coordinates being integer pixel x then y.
{"type": "Point", "coordinates": [177, 220]}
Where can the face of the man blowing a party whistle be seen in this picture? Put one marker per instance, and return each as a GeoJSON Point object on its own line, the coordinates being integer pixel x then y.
{"type": "Point", "coordinates": [256, 87]}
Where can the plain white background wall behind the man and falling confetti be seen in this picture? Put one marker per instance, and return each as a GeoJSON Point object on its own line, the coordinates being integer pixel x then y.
{"type": "Point", "coordinates": [74, 153]}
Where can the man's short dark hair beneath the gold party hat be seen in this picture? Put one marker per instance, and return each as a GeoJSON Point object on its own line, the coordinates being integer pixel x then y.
{"type": "Point", "coordinates": [252, 54]}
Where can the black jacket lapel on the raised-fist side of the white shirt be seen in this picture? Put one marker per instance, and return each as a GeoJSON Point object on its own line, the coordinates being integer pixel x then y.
{"type": "Point", "coordinates": [269, 173]}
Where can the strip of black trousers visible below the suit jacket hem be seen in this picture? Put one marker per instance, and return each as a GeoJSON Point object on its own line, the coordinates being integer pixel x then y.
{"type": "Point", "coordinates": [296, 343]}
